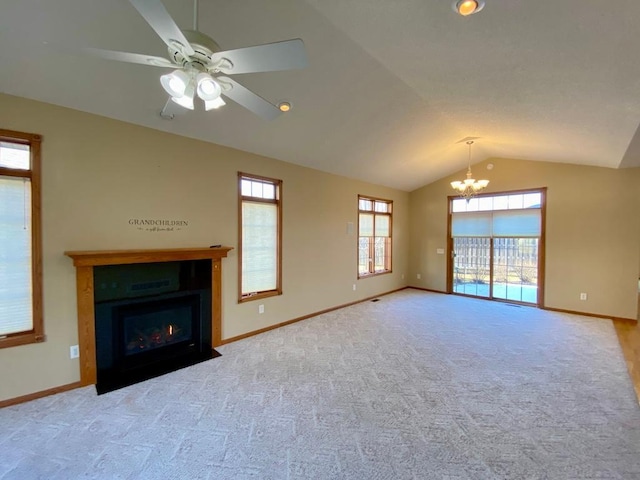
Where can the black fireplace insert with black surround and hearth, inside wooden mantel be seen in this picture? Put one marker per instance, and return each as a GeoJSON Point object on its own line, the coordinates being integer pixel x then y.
{"type": "Point", "coordinates": [150, 319]}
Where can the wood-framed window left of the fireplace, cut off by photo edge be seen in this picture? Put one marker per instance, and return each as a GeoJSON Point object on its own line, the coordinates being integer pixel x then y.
{"type": "Point", "coordinates": [20, 255]}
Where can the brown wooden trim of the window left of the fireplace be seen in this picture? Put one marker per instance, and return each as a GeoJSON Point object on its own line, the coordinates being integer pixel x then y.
{"type": "Point", "coordinates": [36, 334]}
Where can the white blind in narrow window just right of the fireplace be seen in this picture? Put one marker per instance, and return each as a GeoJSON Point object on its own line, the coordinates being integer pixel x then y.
{"type": "Point", "coordinates": [259, 247]}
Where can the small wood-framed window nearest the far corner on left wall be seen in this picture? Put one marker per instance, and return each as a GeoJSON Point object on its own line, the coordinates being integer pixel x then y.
{"type": "Point", "coordinates": [374, 236]}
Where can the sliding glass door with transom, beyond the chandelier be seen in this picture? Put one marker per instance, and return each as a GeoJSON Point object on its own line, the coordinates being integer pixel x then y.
{"type": "Point", "coordinates": [496, 246]}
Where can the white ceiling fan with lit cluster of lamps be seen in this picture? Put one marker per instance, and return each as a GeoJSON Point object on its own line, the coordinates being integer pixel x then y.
{"type": "Point", "coordinates": [201, 67]}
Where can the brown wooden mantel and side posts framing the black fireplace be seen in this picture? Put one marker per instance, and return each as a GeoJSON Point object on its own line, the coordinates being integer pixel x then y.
{"type": "Point", "coordinates": [84, 261]}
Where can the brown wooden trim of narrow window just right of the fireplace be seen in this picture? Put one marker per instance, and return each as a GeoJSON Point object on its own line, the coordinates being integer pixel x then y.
{"type": "Point", "coordinates": [278, 202]}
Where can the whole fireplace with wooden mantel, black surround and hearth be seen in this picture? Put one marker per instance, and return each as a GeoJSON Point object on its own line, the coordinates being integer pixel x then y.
{"type": "Point", "coordinates": [143, 313]}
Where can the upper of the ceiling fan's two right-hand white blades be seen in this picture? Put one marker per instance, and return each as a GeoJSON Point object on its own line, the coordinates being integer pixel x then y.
{"type": "Point", "coordinates": [271, 57]}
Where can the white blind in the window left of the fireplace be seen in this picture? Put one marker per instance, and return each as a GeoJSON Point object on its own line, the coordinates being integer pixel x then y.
{"type": "Point", "coordinates": [16, 285]}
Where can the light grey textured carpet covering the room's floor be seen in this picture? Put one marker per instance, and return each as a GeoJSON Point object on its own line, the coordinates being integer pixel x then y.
{"type": "Point", "coordinates": [414, 386]}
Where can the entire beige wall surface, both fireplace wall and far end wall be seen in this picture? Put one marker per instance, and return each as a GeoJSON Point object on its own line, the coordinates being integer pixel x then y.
{"type": "Point", "coordinates": [99, 173]}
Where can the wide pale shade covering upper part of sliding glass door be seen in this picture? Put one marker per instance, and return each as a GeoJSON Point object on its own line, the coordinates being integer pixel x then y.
{"type": "Point", "coordinates": [504, 223]}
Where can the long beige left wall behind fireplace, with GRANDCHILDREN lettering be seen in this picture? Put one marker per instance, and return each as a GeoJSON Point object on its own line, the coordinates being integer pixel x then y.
{"type": "Point", "coordinates": [99, 173]}
